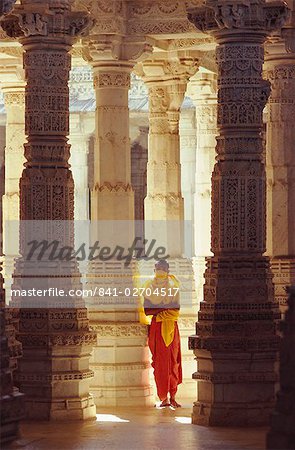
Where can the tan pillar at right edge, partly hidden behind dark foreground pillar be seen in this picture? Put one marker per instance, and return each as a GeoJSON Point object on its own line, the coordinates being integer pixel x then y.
{"type": "Point", "coordinates": [280, 161]}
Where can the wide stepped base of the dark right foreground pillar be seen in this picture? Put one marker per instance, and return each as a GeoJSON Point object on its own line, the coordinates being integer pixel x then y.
{"type": "Point", "coordinates": [236, 345]}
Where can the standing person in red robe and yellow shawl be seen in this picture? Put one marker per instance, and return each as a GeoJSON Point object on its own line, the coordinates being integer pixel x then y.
{"type": "Point", "coordinates": [164, 339]}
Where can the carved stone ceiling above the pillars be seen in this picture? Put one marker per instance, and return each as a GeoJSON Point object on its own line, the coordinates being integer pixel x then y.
{"type": "Point", "coordinates": [163, 22]}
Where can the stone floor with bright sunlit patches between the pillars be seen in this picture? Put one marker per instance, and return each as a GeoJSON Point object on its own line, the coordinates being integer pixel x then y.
{"type": "Point", "coordinates": [137, 429]}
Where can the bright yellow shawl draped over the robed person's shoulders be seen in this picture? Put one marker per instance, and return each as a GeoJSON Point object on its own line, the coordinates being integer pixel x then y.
{"type": "Point", "coordinates": [168, 317]}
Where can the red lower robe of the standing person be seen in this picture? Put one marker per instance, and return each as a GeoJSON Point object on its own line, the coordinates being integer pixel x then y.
{"type": "Point", "coordinates": [166, 360]}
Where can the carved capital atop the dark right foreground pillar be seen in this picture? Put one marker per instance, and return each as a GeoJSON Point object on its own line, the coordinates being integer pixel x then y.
{"type": "Point", "coordinates": [230, 17]}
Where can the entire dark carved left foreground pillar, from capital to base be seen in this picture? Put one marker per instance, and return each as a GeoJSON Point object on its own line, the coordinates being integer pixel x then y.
{"type": "Point", "coordinates": [54, 371]}
